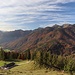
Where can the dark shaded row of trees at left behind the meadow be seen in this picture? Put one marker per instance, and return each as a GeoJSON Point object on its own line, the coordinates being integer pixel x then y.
{"type": "Point", "coordinates": [11, 55]}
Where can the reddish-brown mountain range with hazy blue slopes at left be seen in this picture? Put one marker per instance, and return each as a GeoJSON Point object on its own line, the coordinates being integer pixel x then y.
{"type": "Point", "coordinates": [57, 39]}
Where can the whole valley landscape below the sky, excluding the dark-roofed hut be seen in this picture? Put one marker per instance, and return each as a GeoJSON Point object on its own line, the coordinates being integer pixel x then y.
{"type": "Point", "coordinates": [46, 51]}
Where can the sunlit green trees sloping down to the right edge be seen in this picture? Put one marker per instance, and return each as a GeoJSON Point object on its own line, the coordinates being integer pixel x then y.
{"type": "Point", "coordinates": [58, 62]}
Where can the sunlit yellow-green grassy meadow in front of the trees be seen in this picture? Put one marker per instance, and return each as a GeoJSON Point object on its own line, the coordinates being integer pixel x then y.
{"type": "Point", "coordinates": [29, 68]}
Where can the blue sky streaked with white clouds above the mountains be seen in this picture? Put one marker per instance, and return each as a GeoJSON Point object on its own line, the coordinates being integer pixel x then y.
{"type": "Point", "coordinates": [32, 14]}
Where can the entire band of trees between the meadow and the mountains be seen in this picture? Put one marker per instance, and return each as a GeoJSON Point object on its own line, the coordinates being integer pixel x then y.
{"type": "Point", "coordinates": [43, 58]}
